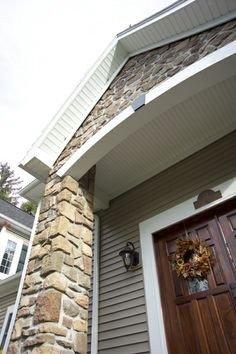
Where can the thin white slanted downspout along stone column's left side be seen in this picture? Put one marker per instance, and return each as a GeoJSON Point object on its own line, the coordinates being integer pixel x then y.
{"type": "Point", "coordinates": [23, 276]}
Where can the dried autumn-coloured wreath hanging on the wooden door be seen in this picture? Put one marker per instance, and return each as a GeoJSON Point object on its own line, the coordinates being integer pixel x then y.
{"type": "Point", "coordinates": [192, 259]}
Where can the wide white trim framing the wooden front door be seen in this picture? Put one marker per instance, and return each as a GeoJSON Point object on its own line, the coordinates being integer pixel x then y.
{"type": "Point", "coordinates": [151, 285]}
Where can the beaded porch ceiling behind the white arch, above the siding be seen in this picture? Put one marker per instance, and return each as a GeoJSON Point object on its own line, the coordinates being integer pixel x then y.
{"type": "Point", "coordinates": [168, 138]}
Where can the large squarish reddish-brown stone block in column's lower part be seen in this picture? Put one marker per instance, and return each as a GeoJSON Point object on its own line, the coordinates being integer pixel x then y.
{"type": "Point", "coordinates": [48, 305]}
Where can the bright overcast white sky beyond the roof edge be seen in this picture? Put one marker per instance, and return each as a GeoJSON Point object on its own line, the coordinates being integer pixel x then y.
{"type": "Point", "coordinates": [46, 47]}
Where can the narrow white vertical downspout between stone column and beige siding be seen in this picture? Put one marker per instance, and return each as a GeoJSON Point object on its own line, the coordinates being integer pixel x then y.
{"type": "Point", "coordinates": [94, 334]}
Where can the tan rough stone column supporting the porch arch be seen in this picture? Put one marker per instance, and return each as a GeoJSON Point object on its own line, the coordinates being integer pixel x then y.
{"type": "Point", "coordinates": [53, 313]}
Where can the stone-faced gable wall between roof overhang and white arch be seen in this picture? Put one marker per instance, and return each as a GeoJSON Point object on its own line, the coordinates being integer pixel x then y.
{"type": "Point", "coordinates": [144, 71]}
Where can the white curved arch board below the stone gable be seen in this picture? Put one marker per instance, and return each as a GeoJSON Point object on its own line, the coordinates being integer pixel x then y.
{"type": "Point", "coordinates": [194, 78]}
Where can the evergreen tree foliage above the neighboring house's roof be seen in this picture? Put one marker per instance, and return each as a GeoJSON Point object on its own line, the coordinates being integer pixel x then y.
{"type": "Point", "coordinates": [9, 183]}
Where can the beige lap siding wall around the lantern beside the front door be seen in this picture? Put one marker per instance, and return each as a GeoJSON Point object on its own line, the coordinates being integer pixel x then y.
{"type": "Point", "coordinates": [122, 315]}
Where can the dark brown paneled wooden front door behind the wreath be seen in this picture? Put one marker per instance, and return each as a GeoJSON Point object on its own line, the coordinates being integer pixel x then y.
{"type": "Point", "coordinates": [200, 321]}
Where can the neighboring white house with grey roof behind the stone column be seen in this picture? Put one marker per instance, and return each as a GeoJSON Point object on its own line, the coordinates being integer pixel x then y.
{"type": "Point", "coordinates": [15, 230]}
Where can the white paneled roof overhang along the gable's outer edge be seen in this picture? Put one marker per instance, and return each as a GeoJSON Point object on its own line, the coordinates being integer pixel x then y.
{"type": "Point", "coordinates": [180, 20]}
